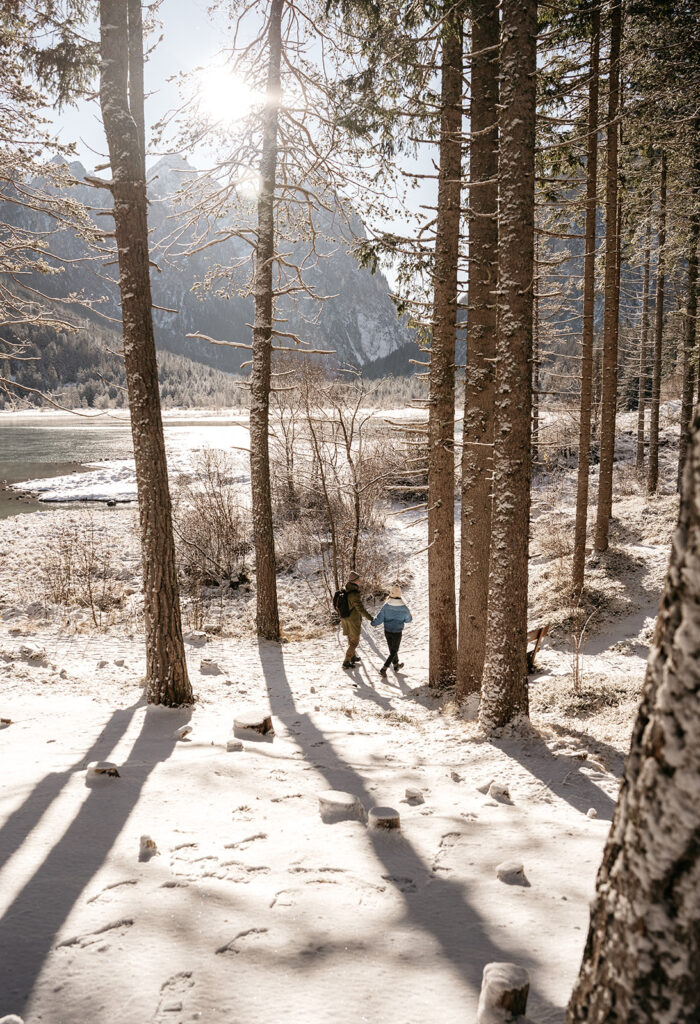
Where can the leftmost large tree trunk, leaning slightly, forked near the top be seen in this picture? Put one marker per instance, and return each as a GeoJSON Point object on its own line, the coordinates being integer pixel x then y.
{"type": "Point", "coordinates": [121, 94]}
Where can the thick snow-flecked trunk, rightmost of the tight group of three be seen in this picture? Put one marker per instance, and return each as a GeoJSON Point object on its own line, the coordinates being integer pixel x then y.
{"type": "Point", "coordinates": [505, 685]}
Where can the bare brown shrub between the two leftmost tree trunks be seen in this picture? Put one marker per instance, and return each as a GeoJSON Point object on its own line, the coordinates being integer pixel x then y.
{"type": "Point", "coordinates": [212, 530]}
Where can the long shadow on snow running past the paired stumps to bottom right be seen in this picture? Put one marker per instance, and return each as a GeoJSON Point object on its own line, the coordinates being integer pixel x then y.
{"type": "Point", "coordinates": [440, 908]}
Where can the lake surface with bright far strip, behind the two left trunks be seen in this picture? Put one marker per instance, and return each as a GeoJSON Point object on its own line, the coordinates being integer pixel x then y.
{"type": "Point", "coordinates": [55, 448]}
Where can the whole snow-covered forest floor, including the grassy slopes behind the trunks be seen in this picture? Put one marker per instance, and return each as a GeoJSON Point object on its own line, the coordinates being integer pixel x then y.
{"type": "Point", "coordinates": [254, 910]}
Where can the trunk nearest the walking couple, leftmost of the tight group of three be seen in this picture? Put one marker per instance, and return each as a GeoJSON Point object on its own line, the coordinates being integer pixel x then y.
{"type": "Point", "coordinates": [443, 647]}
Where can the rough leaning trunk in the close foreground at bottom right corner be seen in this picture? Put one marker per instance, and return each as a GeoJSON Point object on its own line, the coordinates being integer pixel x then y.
{"type": "Point", "coordinates": [641, 959]}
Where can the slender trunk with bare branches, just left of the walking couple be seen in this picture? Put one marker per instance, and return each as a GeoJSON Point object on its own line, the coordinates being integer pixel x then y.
{"type": "Point", "coordinates": [268, 616]}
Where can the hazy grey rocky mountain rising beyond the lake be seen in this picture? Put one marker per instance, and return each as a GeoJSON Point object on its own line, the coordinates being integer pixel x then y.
{"type": "Point", "coordinates": [359, 320]}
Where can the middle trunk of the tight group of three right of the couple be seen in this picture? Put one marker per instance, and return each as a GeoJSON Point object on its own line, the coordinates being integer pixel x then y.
{"type": "Point", "coordinates": [477, 458]}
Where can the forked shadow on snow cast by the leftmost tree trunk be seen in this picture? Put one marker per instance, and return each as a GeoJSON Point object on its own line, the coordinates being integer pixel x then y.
{"type": "Point", "coordinates": [30, 927]}
